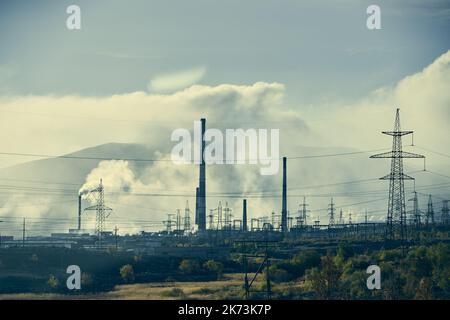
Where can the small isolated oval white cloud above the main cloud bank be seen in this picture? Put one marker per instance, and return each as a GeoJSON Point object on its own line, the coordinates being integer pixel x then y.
{"type": "Point", "coordinates": [171, 82]}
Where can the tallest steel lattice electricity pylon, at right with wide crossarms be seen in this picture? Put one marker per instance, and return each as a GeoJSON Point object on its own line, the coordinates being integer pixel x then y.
{"type": "Point", "coordinates": [396, 215]}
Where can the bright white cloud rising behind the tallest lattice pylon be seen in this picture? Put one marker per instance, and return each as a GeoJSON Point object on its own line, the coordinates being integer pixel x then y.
{"type": "Point", "coordinates": [424, 102]}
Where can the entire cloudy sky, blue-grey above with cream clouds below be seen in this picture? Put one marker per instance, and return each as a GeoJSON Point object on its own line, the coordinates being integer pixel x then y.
{"type": "Point", "coordinates": [137, 70]}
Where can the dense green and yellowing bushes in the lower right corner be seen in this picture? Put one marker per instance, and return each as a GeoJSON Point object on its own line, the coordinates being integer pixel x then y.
{"type": "Point", "coordinates": [419, 273]}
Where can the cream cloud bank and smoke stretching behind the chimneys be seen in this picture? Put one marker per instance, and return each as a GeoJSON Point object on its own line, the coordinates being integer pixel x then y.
{"type": "Point", "coordinates": [55, 125]}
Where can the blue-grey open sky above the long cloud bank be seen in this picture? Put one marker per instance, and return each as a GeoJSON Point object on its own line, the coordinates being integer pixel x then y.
{"type": "Point", "coordinates": [123, 46]}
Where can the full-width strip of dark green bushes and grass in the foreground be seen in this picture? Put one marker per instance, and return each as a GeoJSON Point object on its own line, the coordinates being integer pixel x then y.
{"type": "Point", "coordinates": [321, 272]}
